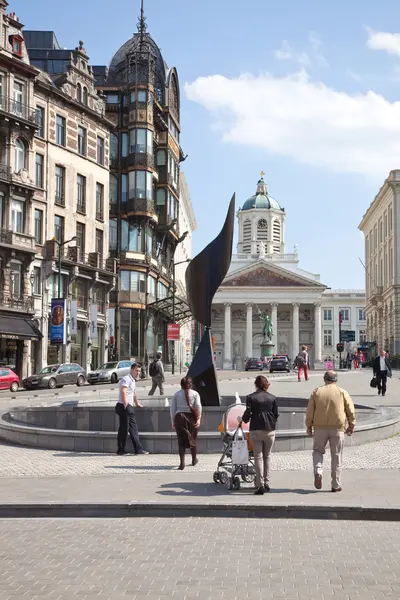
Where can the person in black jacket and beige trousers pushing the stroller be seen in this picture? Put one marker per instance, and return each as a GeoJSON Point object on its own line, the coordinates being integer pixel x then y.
{"type": "Point", "coordinates": [262, 412]}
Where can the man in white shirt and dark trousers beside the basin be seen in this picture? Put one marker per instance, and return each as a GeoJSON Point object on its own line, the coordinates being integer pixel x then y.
{"type": "Point", "coordinates": [126, 413]}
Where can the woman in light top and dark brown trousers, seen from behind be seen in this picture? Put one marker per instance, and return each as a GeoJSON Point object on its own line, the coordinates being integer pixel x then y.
{"type": "Point", "coordinates": [186, 418]}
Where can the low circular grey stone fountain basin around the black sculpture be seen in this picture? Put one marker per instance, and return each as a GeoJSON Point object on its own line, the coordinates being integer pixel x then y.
{"type": "Point", "coordinates": [91, 426]}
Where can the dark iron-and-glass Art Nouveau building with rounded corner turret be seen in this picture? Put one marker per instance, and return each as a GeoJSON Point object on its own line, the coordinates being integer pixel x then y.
{"type": "Point", "coordinates": [143, 102]}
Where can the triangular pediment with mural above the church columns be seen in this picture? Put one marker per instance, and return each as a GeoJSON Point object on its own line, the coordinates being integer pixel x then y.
{"type": "Point", "coordinates": [265, 277]}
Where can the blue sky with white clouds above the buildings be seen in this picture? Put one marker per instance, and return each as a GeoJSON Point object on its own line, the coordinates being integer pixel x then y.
{"type": "Point", "coordinates": [307, 92]}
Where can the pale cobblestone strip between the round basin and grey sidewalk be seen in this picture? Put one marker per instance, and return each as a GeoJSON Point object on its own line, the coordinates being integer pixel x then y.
{"type": "Point", "coordinates": [17, 461]}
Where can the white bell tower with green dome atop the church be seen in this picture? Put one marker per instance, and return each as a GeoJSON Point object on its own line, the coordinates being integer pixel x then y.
{"type": "Point", "coordinates": [261, 224]}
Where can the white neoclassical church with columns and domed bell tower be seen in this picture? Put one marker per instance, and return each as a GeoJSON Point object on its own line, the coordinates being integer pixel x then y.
{"type": "Point", "coordinates": [263, 278]}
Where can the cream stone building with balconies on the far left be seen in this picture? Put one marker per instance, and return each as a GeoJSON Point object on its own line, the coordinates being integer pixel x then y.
{"type": "Point", "coordinates": [54, 185]}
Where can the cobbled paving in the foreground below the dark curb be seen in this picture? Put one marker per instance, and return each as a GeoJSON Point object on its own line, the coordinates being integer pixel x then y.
{"type": "Point", "coordinates": [156, 559]}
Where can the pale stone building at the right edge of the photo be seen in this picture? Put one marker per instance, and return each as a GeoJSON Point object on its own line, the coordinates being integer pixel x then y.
{"type": "Point", "coordinates": [381, 228]}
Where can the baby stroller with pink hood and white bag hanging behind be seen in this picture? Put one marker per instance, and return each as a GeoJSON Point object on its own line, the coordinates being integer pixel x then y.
{"type": "Point", "coordinates": [227, 473]}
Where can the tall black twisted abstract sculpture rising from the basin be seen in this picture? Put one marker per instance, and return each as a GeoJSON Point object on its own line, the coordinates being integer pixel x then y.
{"type": "Point", "coordinates": [204, 275]}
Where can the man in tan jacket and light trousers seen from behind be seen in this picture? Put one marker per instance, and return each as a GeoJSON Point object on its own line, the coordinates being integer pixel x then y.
{"type": "Point", "coordinates": [328, 409]}
